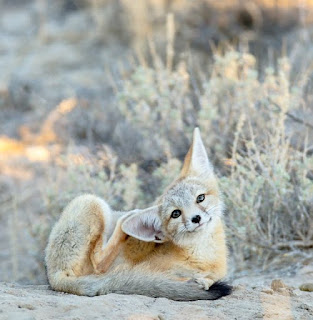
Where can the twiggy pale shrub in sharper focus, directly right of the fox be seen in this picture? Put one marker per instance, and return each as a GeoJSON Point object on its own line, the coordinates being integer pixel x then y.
{"type": "Point", "coordinates": [269, 198]}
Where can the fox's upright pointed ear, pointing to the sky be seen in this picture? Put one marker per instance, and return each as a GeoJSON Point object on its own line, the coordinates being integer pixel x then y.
{"type": "Point", "coordinates": [196, 161]}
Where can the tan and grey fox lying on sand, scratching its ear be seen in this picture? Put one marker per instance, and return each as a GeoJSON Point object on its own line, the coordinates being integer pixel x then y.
{"type": "Point", "coordinates": [175, 249]}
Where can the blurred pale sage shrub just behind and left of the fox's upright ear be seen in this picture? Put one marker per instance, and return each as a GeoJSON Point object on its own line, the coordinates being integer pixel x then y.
{"type": "Point", "coordinates": [156, 101]}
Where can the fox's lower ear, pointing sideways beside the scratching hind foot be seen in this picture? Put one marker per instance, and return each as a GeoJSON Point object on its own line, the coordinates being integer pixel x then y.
{"type": "Point", "coordinates": [145, 225]}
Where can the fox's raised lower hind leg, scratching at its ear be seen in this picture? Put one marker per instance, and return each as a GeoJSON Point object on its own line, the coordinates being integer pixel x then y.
{"type": "Point", "coordinates": [105, 254]}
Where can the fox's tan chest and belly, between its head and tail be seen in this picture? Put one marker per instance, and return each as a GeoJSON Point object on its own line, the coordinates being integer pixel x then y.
{"type": "Point", "coordinates": [171, 257]}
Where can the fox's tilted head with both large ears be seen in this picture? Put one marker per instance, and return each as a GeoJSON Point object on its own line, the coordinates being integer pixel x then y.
{"type": "Point", "coordinates": [189, 206]}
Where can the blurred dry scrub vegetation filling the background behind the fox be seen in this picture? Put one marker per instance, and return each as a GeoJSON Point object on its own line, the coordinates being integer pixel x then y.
{"type": "Point", "coordinates": [102, 96]}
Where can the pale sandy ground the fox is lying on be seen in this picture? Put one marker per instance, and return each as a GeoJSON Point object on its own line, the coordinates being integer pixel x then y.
{"type": "Point", "coordinates": [253, 298]}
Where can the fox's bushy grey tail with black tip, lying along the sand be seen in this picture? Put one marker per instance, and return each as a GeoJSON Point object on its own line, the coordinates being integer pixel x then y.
{"type": "Point", "coordinates": [132, 282]}
